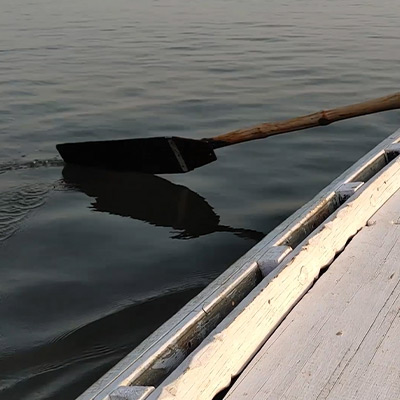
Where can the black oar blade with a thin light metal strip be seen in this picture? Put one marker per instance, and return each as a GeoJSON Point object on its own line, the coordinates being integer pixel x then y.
{"type": "Point", "coordinates": [160, 155]}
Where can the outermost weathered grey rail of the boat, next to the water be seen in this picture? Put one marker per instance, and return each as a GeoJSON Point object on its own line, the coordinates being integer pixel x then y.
{"type": "Point", "coordinates": [193, 322]}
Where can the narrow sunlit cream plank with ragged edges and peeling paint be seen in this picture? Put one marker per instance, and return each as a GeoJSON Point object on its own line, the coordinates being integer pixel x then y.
{"type": "Point", "coordinates": [234, 342]}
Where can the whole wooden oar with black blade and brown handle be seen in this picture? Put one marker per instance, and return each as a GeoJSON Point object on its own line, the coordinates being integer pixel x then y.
{"type": "Point", "coordinates": [162, 155]}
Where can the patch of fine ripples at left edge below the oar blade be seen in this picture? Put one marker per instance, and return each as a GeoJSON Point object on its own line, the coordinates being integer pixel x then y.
{"type": "Point", "coordinates": [16, 204]}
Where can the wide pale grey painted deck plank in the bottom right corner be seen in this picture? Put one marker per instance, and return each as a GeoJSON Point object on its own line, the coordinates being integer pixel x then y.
{"type": "Point", "coordinates": [341, 340]}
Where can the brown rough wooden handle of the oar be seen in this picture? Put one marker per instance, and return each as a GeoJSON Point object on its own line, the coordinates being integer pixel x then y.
{"type": "Point", "coordinates": [320, 118]}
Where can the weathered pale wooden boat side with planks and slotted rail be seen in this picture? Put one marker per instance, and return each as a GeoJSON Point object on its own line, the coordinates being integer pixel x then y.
{"type": "Point", "coordinates": [277, 321]}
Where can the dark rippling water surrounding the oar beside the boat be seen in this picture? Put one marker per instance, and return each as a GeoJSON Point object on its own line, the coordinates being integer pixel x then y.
{"type": "Point", "coordinates": [92, 262]}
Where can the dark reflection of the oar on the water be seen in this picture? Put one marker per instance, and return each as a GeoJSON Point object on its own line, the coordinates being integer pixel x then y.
{"type": "Point", "coordinates": [152, 199]}
